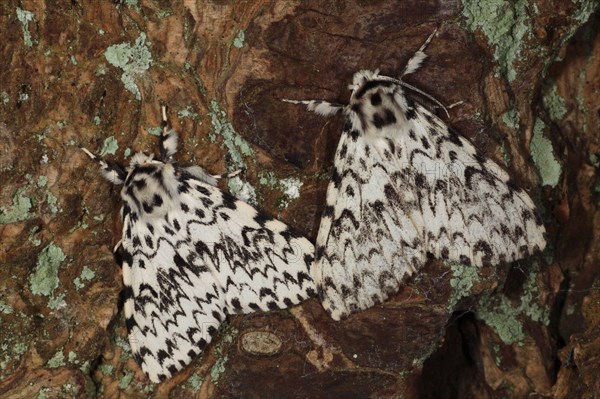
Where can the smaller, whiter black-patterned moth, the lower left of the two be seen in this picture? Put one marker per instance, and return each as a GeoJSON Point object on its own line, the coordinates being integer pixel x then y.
{"type": "Point", "coordinates": [191, 254]}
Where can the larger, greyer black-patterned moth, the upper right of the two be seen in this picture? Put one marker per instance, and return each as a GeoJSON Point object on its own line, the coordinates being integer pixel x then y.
{"type": "Point", "coordinates": [405, 188]}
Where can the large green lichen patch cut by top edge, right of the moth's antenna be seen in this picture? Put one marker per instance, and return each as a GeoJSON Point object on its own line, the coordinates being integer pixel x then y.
{"type": "Point", "coordinates": [504, 23]}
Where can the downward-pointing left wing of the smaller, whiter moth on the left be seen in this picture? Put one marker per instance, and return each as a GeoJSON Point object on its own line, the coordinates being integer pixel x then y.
{"type": "Point", "coordinates": [172, 307]}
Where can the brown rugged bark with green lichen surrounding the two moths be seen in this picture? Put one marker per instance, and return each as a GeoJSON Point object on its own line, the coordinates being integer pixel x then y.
{"type": "Point", "coordinates": [527, 72]}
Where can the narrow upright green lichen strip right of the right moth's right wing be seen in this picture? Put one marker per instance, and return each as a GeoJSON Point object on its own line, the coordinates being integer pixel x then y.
{"type": "Point", "coordinates": [543, 156]}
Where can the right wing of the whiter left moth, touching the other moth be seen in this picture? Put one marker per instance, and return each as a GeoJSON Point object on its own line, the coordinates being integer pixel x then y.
{"type": "Point", "coordinates": [259, 263]}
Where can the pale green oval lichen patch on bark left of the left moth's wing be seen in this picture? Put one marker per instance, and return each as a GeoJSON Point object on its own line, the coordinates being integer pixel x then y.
{"type": "Point", "coordinates": [44, 280]}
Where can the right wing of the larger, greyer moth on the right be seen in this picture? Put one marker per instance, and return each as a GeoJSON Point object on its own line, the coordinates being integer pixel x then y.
{"type": "Point", "coordinates": [475, 214]}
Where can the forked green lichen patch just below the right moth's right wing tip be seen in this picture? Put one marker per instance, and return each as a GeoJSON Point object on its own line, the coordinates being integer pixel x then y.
{"type": "Point", "coordinates": [505, 317]}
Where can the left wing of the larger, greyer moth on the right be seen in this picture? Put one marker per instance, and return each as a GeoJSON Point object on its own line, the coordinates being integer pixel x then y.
{"type": "Point", "coordinates": [366, 243]}
